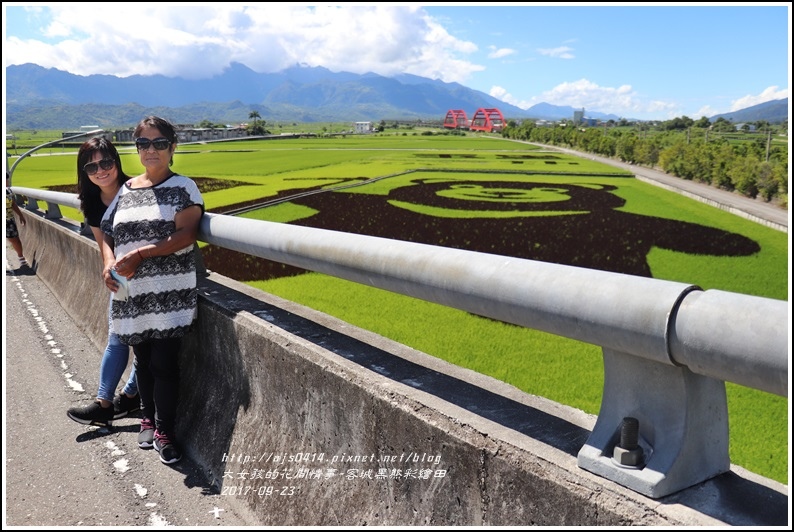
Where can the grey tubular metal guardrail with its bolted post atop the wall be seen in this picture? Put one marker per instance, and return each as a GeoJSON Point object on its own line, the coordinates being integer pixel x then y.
{"type": "Point", "coordinates": [668, 347]}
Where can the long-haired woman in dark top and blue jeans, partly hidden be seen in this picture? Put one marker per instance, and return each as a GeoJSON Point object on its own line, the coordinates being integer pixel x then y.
{"type": "Point", "coordinates": [99, 178]}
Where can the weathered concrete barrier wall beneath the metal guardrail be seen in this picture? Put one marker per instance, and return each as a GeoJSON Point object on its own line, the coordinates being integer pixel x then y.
{"type": "Point", "coordinates": [279, 402]}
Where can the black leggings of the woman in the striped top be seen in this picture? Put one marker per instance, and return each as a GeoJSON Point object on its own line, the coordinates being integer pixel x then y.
{"type": "Point", "coordinates": [157, 365]}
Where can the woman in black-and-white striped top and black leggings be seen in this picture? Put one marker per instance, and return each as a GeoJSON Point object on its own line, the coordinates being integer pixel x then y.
{"type": "Point", "coordinates": [149, 238]}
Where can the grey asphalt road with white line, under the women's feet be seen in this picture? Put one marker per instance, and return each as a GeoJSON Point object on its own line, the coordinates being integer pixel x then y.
{"type": "Point", "coordinates": [61, 473]}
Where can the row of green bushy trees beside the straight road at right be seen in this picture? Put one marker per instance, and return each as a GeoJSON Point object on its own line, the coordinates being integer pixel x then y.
{"type": "Point", "coordinates": [697, 151]}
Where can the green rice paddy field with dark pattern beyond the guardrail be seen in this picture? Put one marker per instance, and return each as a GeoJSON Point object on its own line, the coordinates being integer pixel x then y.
{"type": "Point", "coordinates": [518, 189]}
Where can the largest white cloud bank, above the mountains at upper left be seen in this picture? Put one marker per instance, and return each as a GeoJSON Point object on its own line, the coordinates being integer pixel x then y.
{"type": "Point", "coordinates": [199, 41]}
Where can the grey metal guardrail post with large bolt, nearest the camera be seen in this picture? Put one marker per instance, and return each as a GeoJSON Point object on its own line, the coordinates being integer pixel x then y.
{"type": "Point", "coordinates": [682, 433]}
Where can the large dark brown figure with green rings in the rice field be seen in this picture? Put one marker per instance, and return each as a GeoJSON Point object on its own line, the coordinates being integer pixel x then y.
{"type": "Point", "coordinates": [598, 236]}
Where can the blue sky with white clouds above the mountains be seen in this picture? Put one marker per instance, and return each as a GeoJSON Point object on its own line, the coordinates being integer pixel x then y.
{"type": "Point", "coordinates": [644, 61]}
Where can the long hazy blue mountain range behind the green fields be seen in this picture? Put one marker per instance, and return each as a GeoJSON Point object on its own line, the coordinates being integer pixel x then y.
{"type": "Point", "coordinates": [48, 98]}
